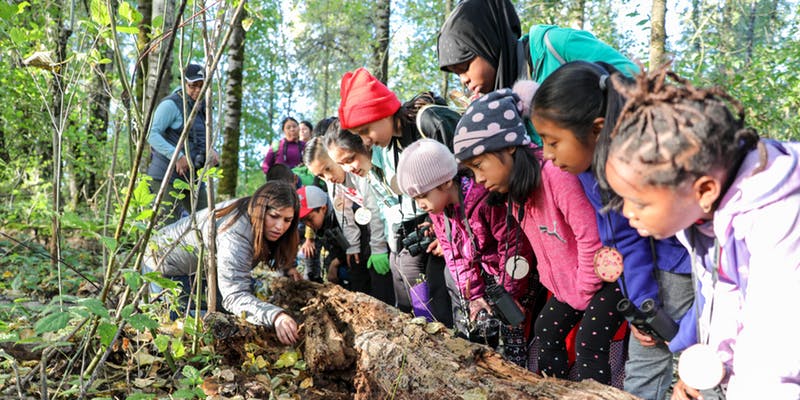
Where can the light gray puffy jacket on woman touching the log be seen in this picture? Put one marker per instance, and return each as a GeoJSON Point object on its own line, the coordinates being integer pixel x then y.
{"type": "Point", "coordinates": [173, 251]}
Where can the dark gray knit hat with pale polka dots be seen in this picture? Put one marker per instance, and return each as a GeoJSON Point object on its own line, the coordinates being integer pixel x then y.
{"type": "Point", "coordinates": [491, 123]}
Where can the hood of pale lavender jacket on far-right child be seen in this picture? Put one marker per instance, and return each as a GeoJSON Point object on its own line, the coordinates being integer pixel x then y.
{"type": "Point", "coordinates": [753, 190]}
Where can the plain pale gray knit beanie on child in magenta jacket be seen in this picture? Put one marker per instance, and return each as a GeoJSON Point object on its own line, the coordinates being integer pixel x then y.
{"type": "Point", "coordinates": [423, 166]}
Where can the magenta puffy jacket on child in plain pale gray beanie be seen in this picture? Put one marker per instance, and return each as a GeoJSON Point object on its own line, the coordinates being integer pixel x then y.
{"type": "Point", "coordinates": [490, 232]}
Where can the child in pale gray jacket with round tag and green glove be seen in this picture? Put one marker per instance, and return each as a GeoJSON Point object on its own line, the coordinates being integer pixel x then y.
{"type": "Point", "coordinates": [369, 227]}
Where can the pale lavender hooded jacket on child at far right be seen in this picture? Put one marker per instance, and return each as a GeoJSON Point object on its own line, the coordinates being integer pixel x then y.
{"type": "Point", "coordinates": [757, 228]}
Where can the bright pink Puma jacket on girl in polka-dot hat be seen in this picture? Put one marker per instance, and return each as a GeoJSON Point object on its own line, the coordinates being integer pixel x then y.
{"type": "Point", "coordinates": [560, 225]}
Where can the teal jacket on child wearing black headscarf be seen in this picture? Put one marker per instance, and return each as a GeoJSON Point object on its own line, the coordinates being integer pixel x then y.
{"type": "Point", "coordinates": [569, 45]}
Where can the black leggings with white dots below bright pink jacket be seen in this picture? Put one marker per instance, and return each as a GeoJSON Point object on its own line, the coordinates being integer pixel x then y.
{"type": "Point", "coordinates": [599, 322]}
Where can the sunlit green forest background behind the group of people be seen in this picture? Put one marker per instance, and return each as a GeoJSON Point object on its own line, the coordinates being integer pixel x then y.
{"type": "Point", "coordinates": [80, 80]}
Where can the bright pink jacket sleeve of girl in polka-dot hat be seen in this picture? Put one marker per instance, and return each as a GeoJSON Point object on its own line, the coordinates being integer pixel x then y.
{"type": "Point", "coordinates": [579, 215]}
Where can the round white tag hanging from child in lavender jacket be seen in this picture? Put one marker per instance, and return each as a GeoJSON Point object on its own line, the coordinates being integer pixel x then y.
{"type": "Point", "coordinates": [700, 367]}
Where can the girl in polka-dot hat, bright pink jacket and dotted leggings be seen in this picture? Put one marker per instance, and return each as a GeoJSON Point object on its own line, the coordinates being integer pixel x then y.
{"type": "Point", "coordinates": [559, 223]}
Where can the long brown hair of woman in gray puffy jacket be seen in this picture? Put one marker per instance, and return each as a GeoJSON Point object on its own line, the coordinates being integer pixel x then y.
{"type": "Point", "coordinates": [272, 195]}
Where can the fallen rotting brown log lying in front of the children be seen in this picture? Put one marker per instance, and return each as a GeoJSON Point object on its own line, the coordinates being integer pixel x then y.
{"type": "Point", "coordinates": [390, 355]}
